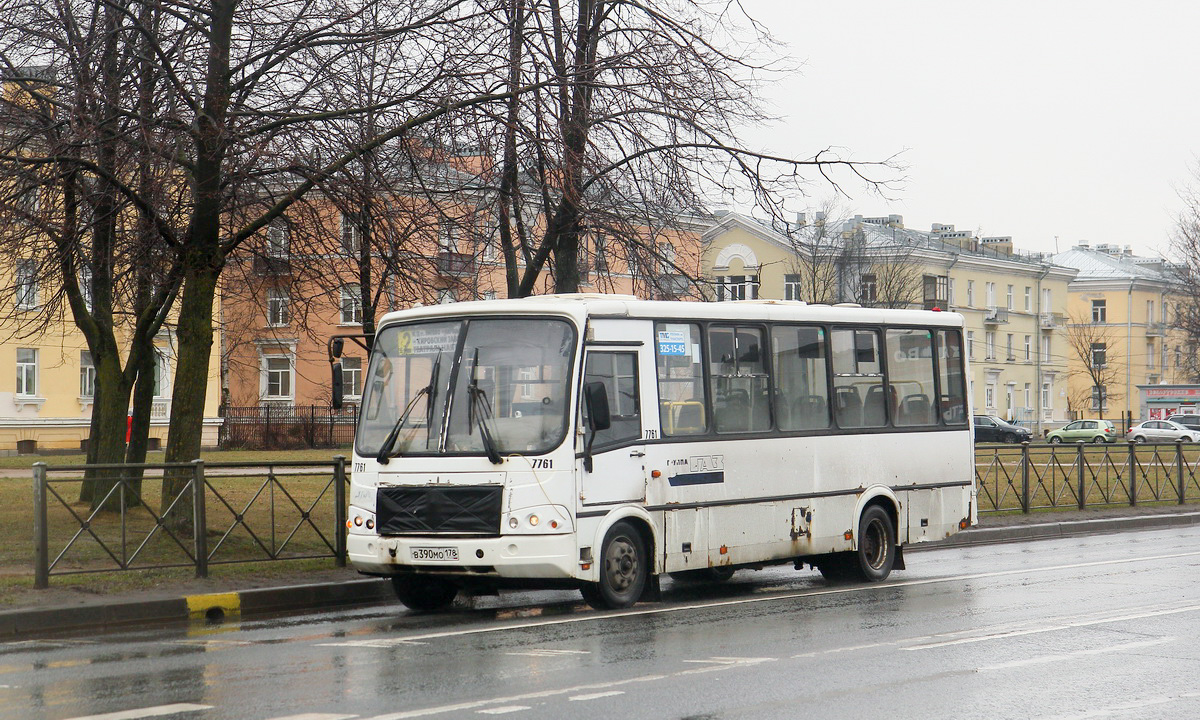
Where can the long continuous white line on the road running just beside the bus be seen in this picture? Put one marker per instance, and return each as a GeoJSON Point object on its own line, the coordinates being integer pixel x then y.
{"type": "Point", "coordinates": [693, 608]}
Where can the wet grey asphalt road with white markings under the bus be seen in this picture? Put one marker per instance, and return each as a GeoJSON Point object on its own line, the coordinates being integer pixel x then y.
{"type": "Point", "coordinates": [1102, 627]}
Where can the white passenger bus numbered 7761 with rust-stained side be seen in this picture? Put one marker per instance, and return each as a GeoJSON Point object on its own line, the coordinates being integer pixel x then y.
{"type": "Point", "coordinates": [599, 441]}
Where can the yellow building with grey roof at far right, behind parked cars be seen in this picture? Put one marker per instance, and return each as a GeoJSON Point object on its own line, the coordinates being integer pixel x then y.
{"type": "Point", "coordinates": [1119, 326]}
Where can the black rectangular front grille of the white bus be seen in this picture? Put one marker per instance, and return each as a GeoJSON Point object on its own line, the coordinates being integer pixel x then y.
{"type": "Point", "coordinates": [453, 511]}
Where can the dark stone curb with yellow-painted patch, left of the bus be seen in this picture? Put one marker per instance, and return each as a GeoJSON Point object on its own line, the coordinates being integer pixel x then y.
{"type": "Point", "coordinates": [207, 608]}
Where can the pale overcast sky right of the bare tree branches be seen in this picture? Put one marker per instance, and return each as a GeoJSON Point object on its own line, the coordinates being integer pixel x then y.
{"type": "Point", "coordinates": [1033, 119]}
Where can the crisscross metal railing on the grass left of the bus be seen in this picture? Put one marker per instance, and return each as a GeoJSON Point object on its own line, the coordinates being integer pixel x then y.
{"type": "Point", "coordinates": [212, 514]}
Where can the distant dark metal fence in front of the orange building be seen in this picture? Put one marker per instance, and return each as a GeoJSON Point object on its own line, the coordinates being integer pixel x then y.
{"type": "Point", "coordinates": [286, 428]}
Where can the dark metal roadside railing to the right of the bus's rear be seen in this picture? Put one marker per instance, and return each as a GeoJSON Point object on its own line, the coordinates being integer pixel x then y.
{"type": "Point", "coordinates": [1054, 477]}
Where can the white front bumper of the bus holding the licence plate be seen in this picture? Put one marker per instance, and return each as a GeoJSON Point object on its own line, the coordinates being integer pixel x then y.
{"type": "Point", "coordinates": [515, 556]}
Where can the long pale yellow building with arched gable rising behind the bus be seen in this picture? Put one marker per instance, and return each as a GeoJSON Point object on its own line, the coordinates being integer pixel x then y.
{"type": "Point", "coordinates": [1013, 304]}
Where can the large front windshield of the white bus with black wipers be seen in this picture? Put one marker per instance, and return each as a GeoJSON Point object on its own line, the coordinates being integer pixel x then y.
{"type": "Point", "coordinates": [511, 386]}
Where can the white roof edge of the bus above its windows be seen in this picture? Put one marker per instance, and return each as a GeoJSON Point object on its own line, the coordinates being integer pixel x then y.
{"type": "Point", "coordinates": [581, 307]}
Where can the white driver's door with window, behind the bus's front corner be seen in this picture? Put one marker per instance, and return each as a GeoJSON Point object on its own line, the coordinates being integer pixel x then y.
{"type": "Point", "coordinates": [619, 469]}
